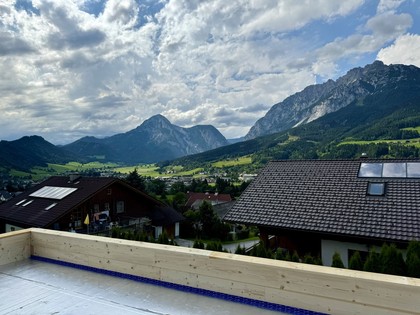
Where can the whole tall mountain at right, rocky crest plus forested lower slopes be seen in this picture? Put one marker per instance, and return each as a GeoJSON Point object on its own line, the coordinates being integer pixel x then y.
{"type": "Point", "coordinates": [368, 104]}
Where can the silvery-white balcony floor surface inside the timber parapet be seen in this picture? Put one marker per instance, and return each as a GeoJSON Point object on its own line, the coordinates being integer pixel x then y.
{"type": "Point", "coordinates": [34, 287]}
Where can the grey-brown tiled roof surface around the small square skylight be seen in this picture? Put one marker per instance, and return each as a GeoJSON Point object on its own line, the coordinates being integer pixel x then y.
{"type": "Point", "coordinates": [327, 196]}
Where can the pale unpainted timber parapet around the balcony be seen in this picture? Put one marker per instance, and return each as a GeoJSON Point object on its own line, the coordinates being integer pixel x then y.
{"type": "Point", "coordinates": [316, 288]}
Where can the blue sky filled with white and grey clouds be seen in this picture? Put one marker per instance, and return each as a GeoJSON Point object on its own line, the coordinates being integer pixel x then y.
{"type": "Point", "coordinates": [75, 68]}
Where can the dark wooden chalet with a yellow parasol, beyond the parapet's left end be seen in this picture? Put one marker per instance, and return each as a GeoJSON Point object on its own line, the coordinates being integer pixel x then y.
{"type": "Point", "coordinates": [69, 203]}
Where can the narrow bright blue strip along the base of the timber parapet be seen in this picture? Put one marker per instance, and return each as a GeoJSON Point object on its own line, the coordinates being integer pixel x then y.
{"type": "Point", "coordinates": [184, 288]}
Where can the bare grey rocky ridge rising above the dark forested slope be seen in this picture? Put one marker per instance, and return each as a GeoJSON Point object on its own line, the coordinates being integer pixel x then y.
{"type": "Point", "coordinates": [318, 100]}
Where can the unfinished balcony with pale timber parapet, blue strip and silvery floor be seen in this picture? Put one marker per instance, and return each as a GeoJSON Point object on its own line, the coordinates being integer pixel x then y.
{"type": "Point", "coordinates": [47, 271]}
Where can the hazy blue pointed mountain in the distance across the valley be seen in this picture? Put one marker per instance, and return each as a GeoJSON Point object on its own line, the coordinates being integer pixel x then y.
{"type": "Point", "coordinates": [156, 139]}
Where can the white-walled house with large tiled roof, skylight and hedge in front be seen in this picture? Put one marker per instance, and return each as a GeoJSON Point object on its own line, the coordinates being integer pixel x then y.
{"type": "Point", "coordinates": [326, 206]}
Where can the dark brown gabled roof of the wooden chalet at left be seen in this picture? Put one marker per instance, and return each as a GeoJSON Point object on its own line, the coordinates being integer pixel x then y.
{"type": "Point", "coordinates": [34, 214]}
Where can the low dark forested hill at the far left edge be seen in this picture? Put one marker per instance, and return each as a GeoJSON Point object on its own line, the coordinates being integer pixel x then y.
{"type": "Point", "coordinates": [30, 151]}
